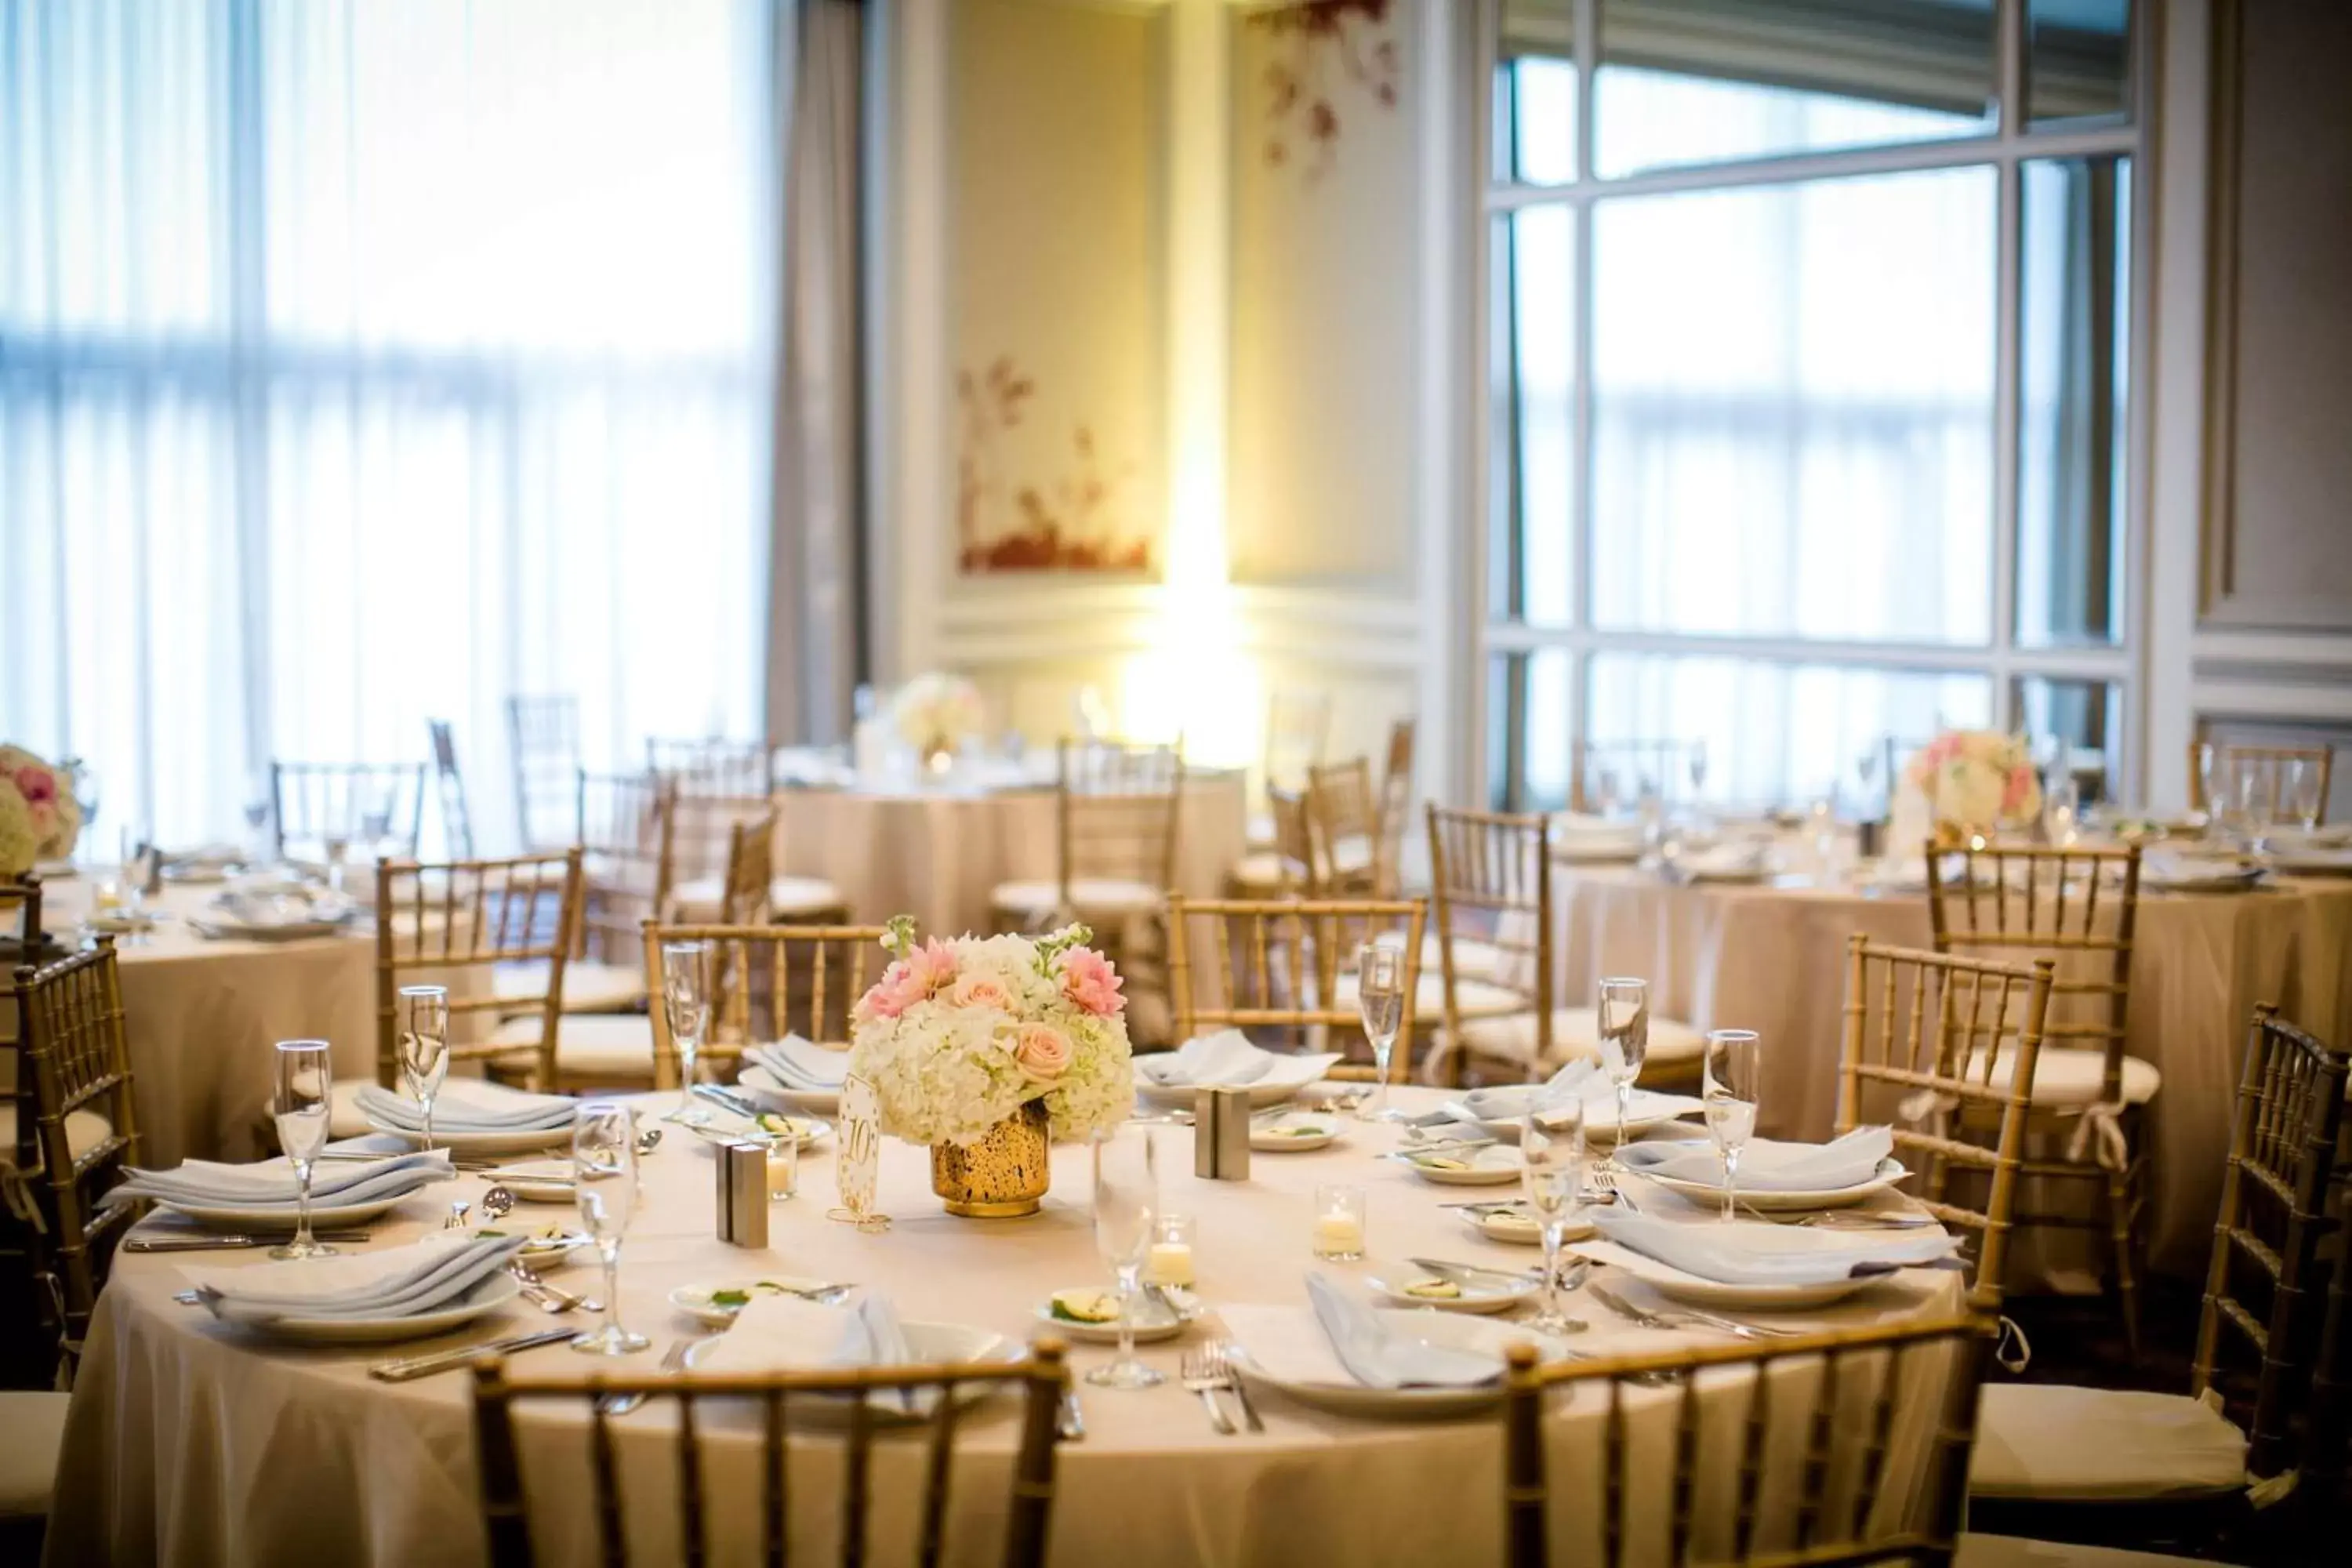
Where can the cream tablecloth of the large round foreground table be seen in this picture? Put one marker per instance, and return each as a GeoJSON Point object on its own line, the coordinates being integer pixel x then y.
{"type": "Point", "coordinates": [189, 1442]}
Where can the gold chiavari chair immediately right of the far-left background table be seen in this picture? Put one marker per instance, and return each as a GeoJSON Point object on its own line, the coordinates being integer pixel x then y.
{"type": "Point", "coordinates": [457, 925]}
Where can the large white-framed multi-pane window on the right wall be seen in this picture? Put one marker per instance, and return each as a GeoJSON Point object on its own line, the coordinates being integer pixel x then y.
{"type": "Point", "coordinates": [1810, 382]}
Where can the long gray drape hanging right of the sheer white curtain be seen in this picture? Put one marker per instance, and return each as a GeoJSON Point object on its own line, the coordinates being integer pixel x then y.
{"type": "Point", "coordinates": [815, 568]}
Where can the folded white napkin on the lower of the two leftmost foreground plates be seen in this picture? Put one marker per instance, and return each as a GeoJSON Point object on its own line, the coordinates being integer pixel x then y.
{"type": "Point", "coordinates": [396, 1282]}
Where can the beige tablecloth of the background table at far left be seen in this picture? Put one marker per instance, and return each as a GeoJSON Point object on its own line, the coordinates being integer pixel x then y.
{"type": "Point", "coordinates": [201, 1017]}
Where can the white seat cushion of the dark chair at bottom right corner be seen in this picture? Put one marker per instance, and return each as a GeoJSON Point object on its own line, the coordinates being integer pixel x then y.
{"type": "Point", "coordinates": [2069, 1445]}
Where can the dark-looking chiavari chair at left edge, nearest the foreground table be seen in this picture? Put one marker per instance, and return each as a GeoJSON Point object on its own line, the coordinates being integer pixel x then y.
{"type": "Point", "coordinates": [72, 1130]}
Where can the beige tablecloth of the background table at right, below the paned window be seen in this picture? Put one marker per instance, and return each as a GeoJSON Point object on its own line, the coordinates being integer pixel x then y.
{"type": "Point", "coordinates": [1772, 958]}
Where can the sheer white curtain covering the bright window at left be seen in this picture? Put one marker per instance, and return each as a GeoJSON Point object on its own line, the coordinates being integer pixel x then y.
{"type": "Point", "coordinates": [368, 361]}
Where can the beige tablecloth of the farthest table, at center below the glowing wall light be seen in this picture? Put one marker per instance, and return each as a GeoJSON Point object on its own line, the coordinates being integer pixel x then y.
{"type": "Point", "coordinates": [940, 852]}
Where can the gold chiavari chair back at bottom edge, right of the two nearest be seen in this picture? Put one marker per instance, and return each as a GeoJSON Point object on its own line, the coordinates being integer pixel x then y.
{"type": "Point", "coordinates": [1843, 1447]}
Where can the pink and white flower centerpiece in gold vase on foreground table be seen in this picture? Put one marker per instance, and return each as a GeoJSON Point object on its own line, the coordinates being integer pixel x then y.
{"type": "Point", "coordinates": [987, 1050]}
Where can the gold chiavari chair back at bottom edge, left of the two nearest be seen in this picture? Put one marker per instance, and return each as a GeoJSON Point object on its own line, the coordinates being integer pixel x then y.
{"type": "Point", "coordinates": [702, 1473]}
